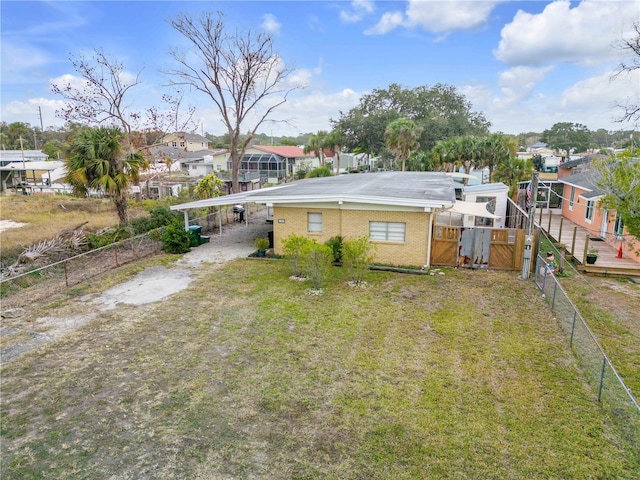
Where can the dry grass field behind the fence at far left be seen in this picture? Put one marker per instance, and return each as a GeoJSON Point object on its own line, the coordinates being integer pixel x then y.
{"type": "Point", "coordinates": [45, 218]}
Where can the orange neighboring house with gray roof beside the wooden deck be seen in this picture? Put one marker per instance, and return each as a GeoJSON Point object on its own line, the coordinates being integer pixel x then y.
{"type": "Point", "coordinates": [582, 206]}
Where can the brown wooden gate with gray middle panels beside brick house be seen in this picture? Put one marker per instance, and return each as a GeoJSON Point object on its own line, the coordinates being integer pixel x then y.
{"type": "Point", "coordinates": [496, 248]}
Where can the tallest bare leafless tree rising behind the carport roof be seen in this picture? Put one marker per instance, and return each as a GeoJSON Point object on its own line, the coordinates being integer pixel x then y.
{"type": "Point", "coordinates": [239, 72]}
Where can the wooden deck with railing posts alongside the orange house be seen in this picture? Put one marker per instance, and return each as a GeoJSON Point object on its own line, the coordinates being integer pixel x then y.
{"type": "Point", "coordinates": [578, 239]}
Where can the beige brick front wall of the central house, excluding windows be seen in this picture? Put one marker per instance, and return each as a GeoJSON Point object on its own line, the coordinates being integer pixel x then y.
{"type": "Point", "coordinates": [355, 223]}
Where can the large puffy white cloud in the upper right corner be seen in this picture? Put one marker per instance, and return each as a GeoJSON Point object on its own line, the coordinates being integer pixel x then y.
{"type": "Point", "coordinates": [582, 35]}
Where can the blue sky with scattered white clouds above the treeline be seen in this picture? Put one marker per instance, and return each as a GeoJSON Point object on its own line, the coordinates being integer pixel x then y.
{"type": "Point", "coordinates": [525, 65]}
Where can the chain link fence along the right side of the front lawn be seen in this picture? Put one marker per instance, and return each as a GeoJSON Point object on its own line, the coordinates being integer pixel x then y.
{"type": "Point", "coordinates": [612, 393]}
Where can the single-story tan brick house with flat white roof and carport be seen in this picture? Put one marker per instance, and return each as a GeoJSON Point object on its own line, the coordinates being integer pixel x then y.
{"type": "Point", "coordinates": [396, 210]}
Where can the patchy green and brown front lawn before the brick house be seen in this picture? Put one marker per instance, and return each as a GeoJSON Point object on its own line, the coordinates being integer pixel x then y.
{"type": "Point", "coordinates": [244, 375]}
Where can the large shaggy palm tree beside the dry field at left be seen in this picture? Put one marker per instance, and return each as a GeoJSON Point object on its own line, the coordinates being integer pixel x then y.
{"type": "Point", "coordinates": [96, 161]}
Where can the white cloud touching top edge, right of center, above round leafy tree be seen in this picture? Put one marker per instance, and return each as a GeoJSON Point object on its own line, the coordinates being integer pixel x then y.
{"type": "Point", "coordinates": [437, 16]}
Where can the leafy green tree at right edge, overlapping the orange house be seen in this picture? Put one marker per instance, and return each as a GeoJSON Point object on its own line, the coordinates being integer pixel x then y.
{"type": "Point", "coordinates": [620, 180]}
